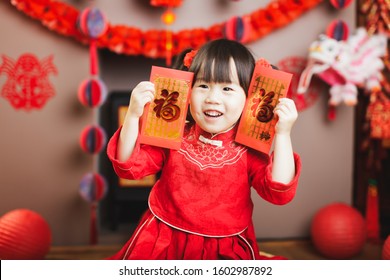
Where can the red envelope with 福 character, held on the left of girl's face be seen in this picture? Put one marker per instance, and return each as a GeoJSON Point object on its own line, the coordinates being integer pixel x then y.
{"type": "Point", "coordinates": [163, 121]}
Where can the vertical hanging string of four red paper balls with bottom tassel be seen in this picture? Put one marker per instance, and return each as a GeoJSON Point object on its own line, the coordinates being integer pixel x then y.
{"type": "Point", "coordinates": [92, 93]}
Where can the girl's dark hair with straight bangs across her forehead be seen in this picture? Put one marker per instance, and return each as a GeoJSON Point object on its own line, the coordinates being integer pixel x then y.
{"type": "Point", "coordinates": [218, 54]}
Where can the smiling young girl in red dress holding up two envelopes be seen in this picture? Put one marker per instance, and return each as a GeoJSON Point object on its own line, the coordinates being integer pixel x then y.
{"type": "Point", "coordinates": [200, 208]}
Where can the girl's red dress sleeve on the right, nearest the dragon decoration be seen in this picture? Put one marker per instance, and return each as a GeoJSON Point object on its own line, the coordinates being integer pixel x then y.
{"type": "Point", "coordinates": [260, 174]}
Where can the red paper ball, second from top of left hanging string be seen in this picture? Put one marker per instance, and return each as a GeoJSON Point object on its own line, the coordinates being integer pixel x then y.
{"type": "Point", "coordinates": [92, 92]}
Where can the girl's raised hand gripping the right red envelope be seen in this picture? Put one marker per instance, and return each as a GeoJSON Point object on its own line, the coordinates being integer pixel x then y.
{"type": "Point", "coordinates": [287, 114]}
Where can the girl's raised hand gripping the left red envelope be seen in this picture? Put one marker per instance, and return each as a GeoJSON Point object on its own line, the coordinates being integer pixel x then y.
{"type": "Point", "coordinates": [142, 94]}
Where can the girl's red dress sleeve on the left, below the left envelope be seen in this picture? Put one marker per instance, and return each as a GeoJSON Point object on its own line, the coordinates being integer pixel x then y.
{"type": "Point", "coordinates": [145, 160]}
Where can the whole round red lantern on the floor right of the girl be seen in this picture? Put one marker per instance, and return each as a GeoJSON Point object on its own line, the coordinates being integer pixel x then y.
{"type": "Point", "coordinates": [338, 231]}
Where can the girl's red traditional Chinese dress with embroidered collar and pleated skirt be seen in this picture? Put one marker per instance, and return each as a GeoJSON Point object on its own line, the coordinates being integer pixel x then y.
{"type": "Point", "coordinates": [200, 208]}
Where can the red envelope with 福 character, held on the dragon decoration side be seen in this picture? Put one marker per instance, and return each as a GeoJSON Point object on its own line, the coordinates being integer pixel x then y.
{"type": "Point", "coordinates": [257, 125]}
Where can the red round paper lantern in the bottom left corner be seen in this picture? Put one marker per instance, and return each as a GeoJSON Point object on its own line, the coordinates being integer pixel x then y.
{"type": "Point", "coordinates": [24, 235]}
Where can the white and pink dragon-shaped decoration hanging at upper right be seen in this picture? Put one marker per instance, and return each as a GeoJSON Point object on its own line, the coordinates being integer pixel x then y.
{"type": "Point", "coordinates": [346, 65]}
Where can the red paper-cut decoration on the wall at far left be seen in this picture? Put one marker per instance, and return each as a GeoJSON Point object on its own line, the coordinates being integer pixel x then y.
{"type": "Point", "coordinates": [28, 86]}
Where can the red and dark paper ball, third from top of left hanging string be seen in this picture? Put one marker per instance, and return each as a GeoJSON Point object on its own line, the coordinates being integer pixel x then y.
{"type": "Point", "coordinates": [92, 139]}
